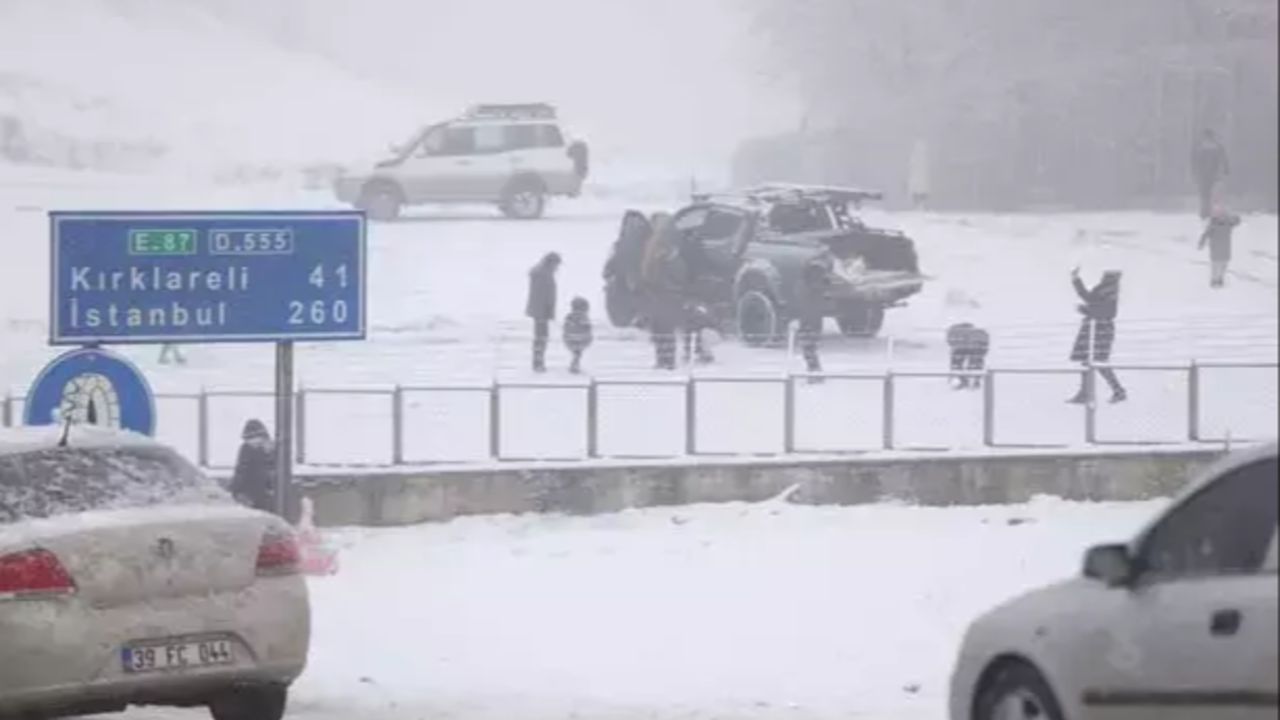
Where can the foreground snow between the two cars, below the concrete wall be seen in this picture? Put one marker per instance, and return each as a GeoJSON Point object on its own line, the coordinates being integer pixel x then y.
{"type": "Point", "coordinates": [735, 612]}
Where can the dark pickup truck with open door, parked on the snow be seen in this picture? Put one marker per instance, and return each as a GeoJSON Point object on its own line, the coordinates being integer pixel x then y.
{"type": "Point", "coordinates": [748, 250]}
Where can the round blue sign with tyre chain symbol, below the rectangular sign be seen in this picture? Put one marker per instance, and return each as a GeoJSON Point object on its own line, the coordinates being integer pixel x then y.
{"type": "Point", "coordinates": [93, 388]}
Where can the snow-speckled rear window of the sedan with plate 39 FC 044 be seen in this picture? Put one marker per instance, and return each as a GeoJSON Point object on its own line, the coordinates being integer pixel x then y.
{"type": "Point", "coordinates": [53, 482]}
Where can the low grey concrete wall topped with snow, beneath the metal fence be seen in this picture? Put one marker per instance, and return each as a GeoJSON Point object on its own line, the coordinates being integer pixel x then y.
{"type": "Point", "coordinates": [403, 498]}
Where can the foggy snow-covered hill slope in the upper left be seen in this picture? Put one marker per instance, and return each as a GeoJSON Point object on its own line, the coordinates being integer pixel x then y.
{"type": "Point", "coordinates": [164, 86]}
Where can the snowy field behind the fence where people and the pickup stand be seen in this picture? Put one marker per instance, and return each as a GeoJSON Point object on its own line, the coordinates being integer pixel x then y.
{"type": "Point", "coordinates": [447, 293]}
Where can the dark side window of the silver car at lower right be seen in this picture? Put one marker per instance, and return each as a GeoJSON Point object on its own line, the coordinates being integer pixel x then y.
{"type": "Point", "coordinates": [1227, 528]}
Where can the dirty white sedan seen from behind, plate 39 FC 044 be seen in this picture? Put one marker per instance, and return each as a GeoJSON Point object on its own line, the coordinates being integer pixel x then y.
{"type": "Point", "coordinates": [127, 577]}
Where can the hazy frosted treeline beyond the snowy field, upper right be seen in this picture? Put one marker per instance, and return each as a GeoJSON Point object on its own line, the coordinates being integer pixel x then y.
{"type": "Point", "coordinates": [1027, 104]}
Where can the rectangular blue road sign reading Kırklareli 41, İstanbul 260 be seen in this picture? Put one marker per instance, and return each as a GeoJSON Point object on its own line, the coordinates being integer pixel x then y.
{"type": "Point", "coordinates": [207, 277]}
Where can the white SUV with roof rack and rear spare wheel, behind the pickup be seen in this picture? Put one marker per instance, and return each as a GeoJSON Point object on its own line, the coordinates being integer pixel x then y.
{"type": "Point", "coordinates": [513, 156]}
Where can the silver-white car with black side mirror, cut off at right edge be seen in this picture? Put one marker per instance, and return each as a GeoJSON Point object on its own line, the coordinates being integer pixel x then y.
{"type": "Point", "coordinates": [1181, 623]}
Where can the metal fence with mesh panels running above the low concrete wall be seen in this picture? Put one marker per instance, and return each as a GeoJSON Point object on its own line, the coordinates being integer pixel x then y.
{"type": "Point", "coordinates": [723, 416]}
